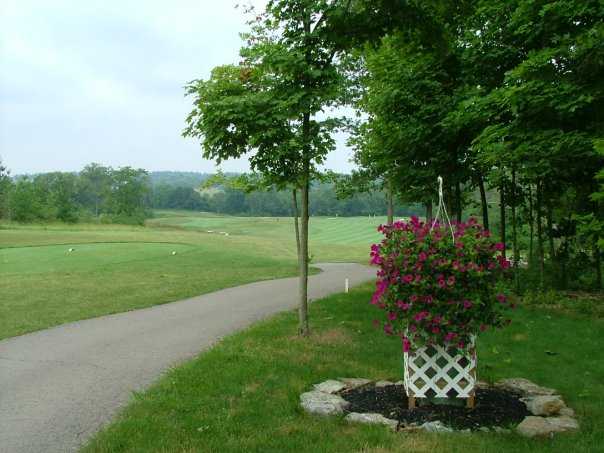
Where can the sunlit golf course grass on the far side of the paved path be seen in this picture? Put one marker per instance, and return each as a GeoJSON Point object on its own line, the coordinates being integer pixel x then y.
{"type": "Point", "coordinates": [118, 268]}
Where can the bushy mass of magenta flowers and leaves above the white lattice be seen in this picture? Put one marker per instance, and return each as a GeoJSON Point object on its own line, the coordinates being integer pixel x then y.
{"type": "Point", "coordinates": [438, 285]}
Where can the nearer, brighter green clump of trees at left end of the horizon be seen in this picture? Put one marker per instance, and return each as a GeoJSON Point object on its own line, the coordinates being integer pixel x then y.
{"type": "Point", "coordinates": [96, 193]}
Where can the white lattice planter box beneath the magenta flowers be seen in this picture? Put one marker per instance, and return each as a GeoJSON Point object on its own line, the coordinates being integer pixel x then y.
{"type": "Point", "coordinates": [437, 372]}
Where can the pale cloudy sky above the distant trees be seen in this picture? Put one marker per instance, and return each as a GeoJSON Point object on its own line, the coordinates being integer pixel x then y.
{"type": "Point", "coordinates": [102, 81]}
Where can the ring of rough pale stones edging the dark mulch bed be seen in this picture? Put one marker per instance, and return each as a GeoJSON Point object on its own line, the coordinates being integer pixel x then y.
{"type": "Point", "coordinates": [550, 414]}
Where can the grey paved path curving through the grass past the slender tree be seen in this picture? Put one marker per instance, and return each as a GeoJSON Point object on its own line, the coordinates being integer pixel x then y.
{"type": "Point", "coordinates": [59, 386]}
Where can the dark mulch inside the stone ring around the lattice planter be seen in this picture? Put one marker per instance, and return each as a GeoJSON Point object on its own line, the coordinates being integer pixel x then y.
{"type": "Point", "coordinates": [494, 407]}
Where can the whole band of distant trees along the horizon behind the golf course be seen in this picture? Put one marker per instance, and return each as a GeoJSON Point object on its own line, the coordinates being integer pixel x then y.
{"type": "Point", "coordinates": [127, 195]}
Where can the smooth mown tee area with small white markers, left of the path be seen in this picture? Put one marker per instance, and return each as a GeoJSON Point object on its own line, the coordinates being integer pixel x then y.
{"type": "Point", "coordinates": [58, 258]}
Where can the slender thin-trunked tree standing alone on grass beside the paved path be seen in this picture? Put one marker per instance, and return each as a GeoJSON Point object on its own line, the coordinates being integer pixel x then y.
{"type": "Point", "coordinates": [270, 106]}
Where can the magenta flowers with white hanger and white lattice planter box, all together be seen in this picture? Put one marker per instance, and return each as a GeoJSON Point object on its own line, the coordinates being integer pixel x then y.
{"type": "Point", "coordinates": [437, 284]}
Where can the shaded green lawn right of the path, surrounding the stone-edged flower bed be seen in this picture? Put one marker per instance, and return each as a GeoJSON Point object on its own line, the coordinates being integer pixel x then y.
{"type": "Point", "coordinates": [242, 395]}
